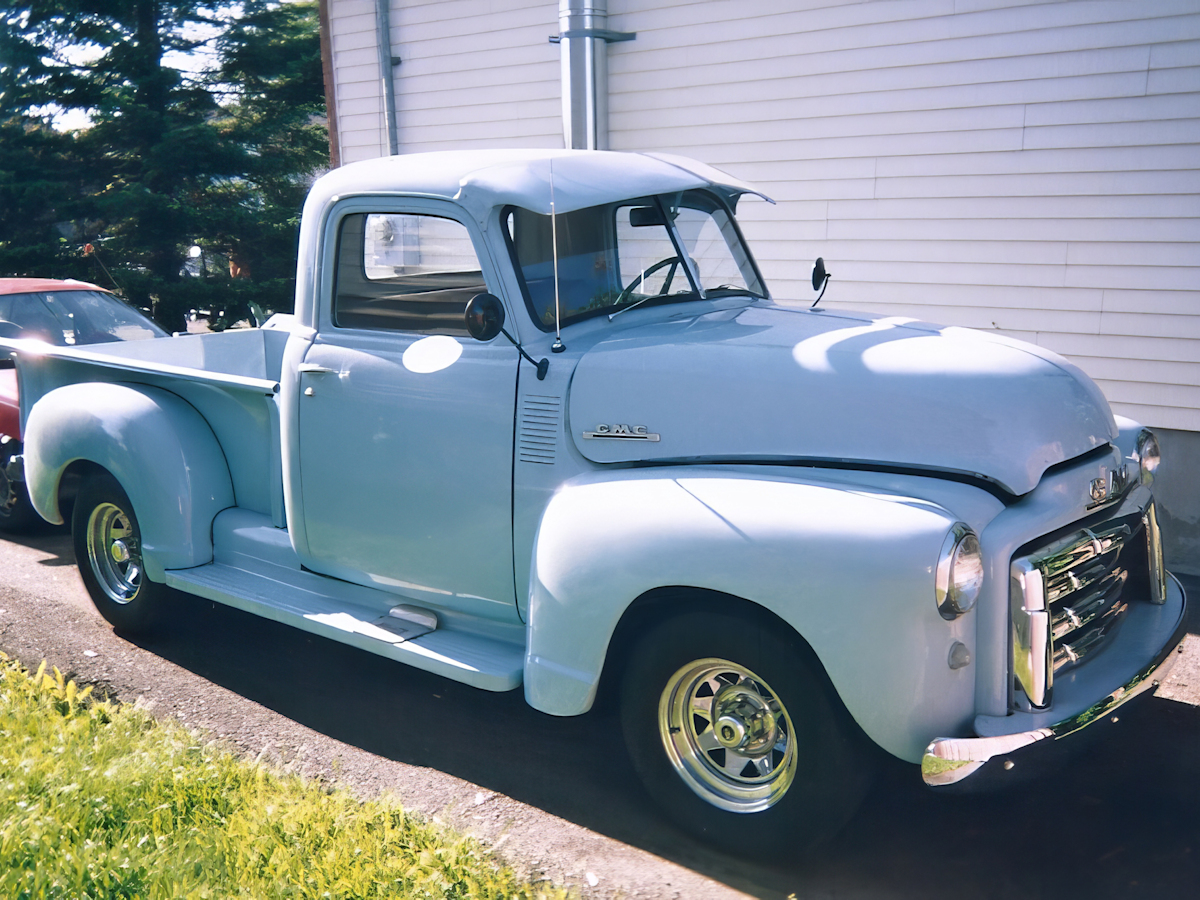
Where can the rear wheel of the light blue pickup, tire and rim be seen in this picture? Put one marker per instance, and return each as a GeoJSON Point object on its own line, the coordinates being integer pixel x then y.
{"type": "Point", "coordinates": [109, 553]}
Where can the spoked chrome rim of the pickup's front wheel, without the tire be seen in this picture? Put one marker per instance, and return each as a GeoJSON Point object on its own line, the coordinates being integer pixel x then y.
{"type": "Point", "coordinates": [728, 736]}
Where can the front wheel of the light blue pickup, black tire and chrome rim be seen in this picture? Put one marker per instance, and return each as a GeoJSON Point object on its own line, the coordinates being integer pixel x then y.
{"type": "Point", "coordinates": [731, 727]}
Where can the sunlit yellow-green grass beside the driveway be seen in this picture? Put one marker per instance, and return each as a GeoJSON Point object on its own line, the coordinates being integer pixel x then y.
{"type": "Point", "coordinates": [99, 800]}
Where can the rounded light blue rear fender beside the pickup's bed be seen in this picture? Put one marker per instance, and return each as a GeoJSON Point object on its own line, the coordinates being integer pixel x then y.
{"type": "Point", "coordinates": [154, 443]}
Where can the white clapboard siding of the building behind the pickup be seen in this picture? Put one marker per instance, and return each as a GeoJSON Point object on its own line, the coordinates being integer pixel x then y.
{"type": "Point", "coordinates": [1030, 167]}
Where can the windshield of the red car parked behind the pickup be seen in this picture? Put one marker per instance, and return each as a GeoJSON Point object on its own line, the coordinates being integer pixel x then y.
{"type": "Point", "coordinates": [71, 317]}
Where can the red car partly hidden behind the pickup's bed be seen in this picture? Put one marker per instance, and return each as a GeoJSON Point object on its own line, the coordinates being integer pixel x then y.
{"type": "Point", "coordinates": [58, 313]}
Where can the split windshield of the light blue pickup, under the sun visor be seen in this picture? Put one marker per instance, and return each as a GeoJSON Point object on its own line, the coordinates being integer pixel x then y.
{"type": "Point", "coordinates": [651, 250]}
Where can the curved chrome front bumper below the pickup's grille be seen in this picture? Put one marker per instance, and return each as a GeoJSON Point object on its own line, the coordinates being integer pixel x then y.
{"type": "Point", "coordinates": [949, 761]}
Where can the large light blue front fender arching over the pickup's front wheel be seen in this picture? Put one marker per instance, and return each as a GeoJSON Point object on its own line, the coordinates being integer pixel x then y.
{"type": "Point", "coordinates": [850, 571]}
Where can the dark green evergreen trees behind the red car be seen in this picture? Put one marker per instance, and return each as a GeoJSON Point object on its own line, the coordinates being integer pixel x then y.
{"type": "Point", "coordinates": [221, 160]}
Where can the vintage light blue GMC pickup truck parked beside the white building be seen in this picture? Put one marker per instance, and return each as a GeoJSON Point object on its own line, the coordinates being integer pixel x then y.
{"type": "Point", "coordinates": [538, 423]}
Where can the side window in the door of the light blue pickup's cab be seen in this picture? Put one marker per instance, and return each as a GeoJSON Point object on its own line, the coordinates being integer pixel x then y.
{"type": "Point", "coordinates": [405, 273]}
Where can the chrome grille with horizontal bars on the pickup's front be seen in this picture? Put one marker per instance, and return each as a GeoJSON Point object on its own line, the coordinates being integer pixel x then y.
{"type": "Point", "coordinates": [1071, 591]}
